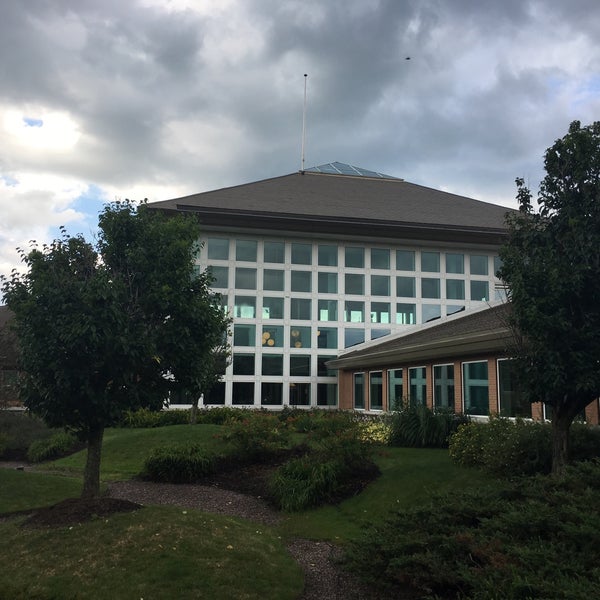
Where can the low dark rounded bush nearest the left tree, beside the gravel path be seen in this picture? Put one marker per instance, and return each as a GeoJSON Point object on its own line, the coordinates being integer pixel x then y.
{"type": "Point", "coordinates": [179, 464]}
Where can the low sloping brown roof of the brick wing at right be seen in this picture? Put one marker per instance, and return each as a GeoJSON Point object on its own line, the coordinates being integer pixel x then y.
{"type": "Point", "coordinates": [479, 331]}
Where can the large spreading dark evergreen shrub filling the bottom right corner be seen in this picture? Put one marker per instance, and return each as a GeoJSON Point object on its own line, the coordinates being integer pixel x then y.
{"type": "Point", "coordinates": [532, 538]}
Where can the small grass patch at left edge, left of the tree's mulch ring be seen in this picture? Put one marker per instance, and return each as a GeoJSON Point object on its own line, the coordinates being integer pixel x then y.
{"type": "Point", "coordinates": [20, 490]}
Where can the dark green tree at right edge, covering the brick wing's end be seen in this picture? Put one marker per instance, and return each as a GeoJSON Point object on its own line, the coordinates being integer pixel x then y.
{"type": "Point", "coordinates": [551, 265]}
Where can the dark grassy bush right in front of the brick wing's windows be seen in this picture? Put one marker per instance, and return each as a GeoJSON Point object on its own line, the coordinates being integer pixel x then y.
{"type": "Point", "coordinates": [420, 427]}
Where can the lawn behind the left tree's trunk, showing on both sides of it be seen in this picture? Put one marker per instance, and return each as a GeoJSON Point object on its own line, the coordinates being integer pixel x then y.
{"type": "Point", "coordinates": [125, 450]}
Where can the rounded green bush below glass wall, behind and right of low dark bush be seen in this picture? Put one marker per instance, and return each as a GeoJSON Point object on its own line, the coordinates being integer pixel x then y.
{"type": "Point", "coordinates": [257, 437]}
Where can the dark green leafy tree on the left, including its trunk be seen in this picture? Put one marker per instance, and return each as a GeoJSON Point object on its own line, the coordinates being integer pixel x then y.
{"type": "Point", "coordinates": [114, 327]}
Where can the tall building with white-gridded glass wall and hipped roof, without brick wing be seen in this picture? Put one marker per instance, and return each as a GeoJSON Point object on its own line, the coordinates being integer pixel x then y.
{"type": "Point", "coordinates": [315, 262]}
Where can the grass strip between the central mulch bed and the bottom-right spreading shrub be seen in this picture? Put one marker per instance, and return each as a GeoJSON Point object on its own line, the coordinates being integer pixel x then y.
{"type": "Point", "coordinates": [408, 478]}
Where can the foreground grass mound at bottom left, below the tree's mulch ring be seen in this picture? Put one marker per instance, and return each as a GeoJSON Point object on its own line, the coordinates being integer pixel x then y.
{"type": "Point", "coordinates": [156, 552]}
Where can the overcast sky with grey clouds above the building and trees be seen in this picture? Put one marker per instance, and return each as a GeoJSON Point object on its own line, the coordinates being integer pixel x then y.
{"type": "Point", "coordinates": [106, 99]}
